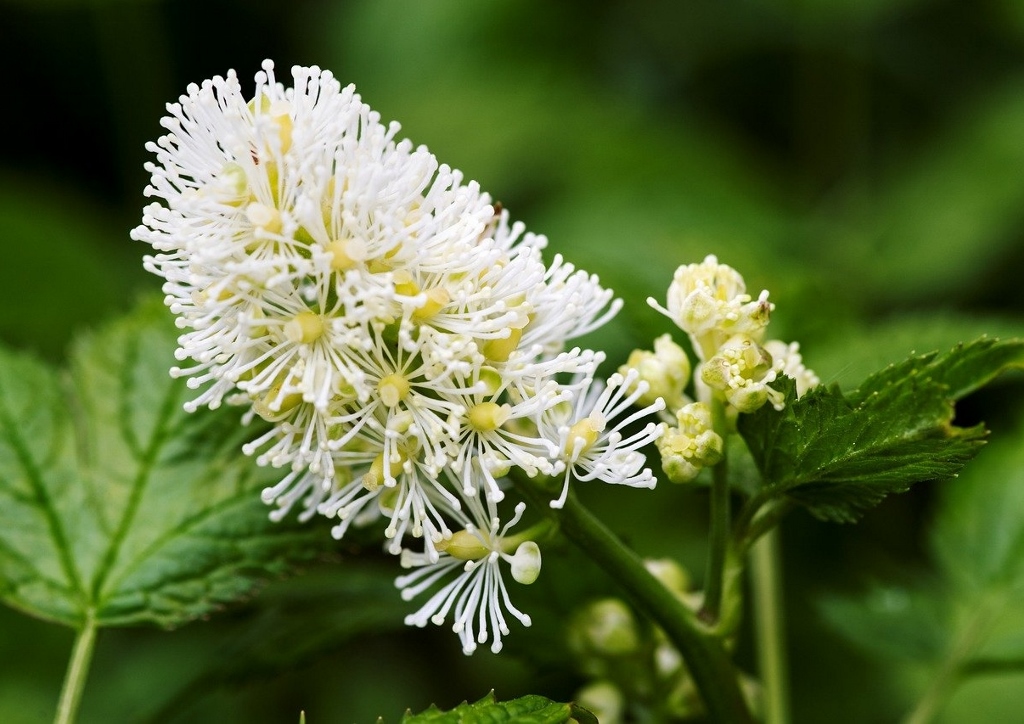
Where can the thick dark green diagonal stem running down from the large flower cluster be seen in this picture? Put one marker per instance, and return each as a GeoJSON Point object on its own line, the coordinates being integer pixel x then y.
{"type": "Point", "coordinates": [713, 671]}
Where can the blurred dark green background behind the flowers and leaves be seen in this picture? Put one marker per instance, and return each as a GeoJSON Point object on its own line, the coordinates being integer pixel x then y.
{"type": "Point", "coordinates": [864, 160]}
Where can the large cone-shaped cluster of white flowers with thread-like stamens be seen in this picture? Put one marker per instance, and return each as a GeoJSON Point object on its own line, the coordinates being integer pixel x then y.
{"type": "Point", "coordinates": [407, 343]}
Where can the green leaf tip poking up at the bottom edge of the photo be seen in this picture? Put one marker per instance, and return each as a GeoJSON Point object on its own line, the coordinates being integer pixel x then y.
{"type": "Point", "coordinates": [526, 710]}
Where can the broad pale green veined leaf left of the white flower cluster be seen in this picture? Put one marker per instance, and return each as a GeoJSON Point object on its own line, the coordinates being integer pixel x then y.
{"type": "Point", "coordinates": [118, 506]}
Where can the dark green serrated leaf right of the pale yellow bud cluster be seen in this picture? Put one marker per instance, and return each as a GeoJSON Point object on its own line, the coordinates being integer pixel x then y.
{"type": "Point", "coordinates": [839, 455]}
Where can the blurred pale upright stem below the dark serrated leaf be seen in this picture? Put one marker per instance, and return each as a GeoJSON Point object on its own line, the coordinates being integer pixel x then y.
{"type": "Point", "coordinates": [770, 629]}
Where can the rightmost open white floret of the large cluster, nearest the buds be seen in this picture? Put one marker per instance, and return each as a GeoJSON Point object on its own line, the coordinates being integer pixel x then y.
{"type": "Point", "coordinates": [592, 443]}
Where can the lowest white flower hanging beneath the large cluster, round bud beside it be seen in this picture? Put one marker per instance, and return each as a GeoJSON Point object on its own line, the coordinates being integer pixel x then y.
{"type": "Point", "coordinates": [478, 598]}
